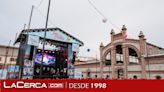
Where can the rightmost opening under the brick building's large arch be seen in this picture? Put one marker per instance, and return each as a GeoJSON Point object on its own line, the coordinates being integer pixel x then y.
{"type": "Point", "coordinates": [133, 57]}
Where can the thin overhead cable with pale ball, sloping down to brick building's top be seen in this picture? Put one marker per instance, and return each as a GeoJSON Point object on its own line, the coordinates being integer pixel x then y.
{"type": "Point", "coordinates": [105, 18]}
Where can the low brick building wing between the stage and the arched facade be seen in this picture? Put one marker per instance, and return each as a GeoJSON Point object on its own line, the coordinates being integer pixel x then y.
{"type": "Point", "coordinates": [89, 67]}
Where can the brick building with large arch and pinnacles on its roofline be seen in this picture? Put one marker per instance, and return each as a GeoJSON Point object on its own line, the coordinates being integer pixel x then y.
{"type": "Point", "coordinates": [125, 58]}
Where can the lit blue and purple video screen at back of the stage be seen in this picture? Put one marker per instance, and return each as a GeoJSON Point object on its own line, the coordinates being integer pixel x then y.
{"type": "Point", "coordinates": [48, 59]}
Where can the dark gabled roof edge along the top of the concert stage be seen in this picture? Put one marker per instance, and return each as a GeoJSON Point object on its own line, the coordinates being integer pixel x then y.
{"type": "Point", "coordinates": [24, 32]}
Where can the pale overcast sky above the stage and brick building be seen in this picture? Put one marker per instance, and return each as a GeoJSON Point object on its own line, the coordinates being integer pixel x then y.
{"type": "Point", "coordinates": [80, 19]}
